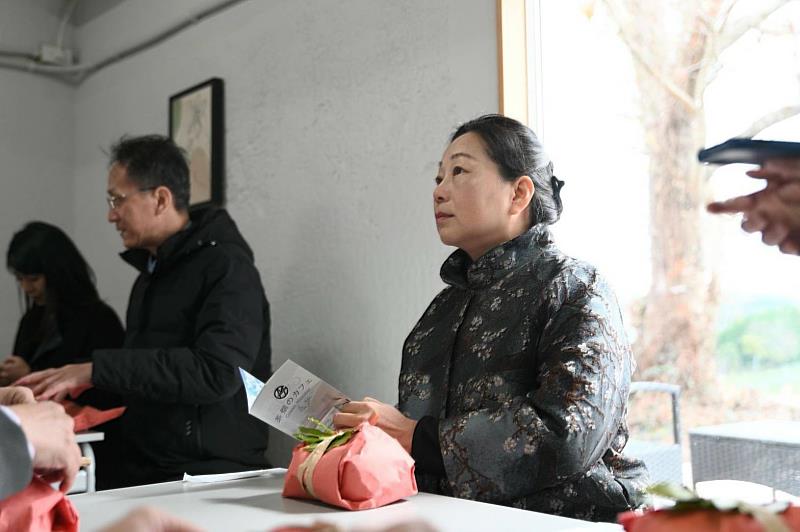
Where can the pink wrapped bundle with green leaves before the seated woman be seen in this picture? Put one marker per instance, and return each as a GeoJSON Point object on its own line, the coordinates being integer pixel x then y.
{"type": "Point", "coordinates": [372, 469]}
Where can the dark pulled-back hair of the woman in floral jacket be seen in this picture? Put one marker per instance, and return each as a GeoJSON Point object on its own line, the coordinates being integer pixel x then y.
{"type": "Point", "coordinates": [516, 151]}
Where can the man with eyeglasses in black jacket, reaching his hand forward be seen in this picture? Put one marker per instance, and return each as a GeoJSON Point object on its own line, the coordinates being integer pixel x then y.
{"type": "Point", "coordinates": [197, 312]}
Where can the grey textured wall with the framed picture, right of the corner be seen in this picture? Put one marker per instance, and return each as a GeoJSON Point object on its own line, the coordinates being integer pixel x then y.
{"type": "Point", "coordinates": [337, 114]}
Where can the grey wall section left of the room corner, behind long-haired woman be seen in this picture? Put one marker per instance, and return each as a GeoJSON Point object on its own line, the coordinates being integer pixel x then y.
{"type": "Point", "coordinates": [36, 144]}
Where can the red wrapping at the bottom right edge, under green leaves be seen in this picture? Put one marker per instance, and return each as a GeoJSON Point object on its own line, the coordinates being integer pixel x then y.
{"type": "Point", "coordinates": [701, 520]}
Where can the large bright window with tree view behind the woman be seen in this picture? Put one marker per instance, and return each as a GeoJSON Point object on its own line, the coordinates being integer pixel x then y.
{"type": "Point", "coordinates": [622, 95]}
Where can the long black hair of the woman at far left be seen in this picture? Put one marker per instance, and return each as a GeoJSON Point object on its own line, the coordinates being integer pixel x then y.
{"type": "Point", "coordinates": [43, 249]}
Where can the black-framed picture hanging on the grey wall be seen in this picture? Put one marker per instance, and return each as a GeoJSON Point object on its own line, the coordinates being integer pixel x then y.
{"type": "Point", "coordinates": [197, 124]}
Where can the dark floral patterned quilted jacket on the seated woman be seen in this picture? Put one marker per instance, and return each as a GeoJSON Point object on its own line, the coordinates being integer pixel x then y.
{"type": "Point", "coordinates": [524, 361]}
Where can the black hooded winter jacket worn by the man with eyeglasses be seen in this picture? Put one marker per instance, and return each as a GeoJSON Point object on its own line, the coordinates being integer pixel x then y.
{"type": "Point", "coordinates": [191, 323]}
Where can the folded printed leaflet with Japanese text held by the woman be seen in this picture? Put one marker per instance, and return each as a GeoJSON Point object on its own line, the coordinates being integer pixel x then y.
{"type": "Point", "coordinates": [290, 397]}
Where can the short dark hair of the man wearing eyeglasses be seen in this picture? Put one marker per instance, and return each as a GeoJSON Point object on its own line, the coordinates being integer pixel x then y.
{"type": "Point", "coordinates": [154, 161]}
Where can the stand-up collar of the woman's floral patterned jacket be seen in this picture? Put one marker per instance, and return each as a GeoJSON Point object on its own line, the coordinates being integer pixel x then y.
{"type": "Point", "coordinates": [459, 269]}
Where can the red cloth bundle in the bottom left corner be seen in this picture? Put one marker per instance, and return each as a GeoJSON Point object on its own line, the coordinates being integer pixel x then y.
{"type": "Point", "coordinates": [38, 507]}
